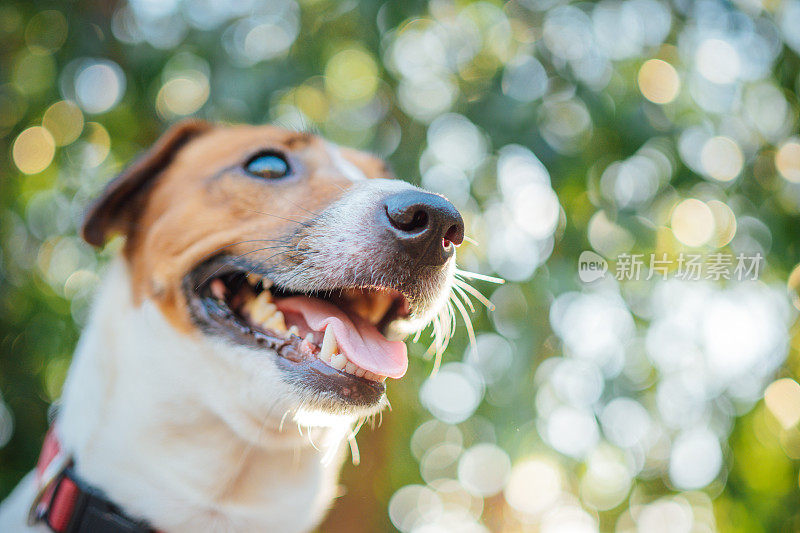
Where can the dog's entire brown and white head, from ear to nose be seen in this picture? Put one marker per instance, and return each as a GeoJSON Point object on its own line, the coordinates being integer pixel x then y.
{"type": "Point", "coordinates": [310, 256]}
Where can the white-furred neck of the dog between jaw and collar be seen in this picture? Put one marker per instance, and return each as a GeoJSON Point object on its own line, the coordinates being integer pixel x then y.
{"type": "Point", "coordinates": [158, 420]}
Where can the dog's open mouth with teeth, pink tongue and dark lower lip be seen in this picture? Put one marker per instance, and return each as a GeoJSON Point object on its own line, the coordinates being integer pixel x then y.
{"type": "Point", "coordinates": [331, 341]}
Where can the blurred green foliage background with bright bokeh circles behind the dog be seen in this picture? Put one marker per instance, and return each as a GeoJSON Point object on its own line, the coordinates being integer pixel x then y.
{"type": "Point", "coordinates": [622, 127]}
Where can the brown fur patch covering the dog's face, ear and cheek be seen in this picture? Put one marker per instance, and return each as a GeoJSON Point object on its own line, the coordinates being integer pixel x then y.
{"type": "Point", "coordinates": [197, 201]}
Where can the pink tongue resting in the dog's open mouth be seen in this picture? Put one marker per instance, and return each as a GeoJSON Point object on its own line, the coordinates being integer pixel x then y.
{"type": "Point", "coordinates": [359, 340]}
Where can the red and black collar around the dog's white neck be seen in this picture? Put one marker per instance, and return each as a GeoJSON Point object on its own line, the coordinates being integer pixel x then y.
{"type": "Point", "coordinates": [66, 504]}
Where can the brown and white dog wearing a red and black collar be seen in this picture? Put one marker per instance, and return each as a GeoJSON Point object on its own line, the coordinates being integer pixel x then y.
{"type": "Point", "coordinates": [267, 279]}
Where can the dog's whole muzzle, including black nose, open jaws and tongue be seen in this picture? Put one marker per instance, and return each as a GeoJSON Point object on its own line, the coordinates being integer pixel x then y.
{"type": "Point", "coordinates": [345, 288]}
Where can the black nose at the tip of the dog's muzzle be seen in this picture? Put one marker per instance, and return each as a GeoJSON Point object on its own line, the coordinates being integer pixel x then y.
{"type": "Point", "coordinates": [427, 225]}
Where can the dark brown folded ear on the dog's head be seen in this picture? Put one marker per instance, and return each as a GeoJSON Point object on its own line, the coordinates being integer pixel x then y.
{"type": "Point", "coordinates": [114, 210]}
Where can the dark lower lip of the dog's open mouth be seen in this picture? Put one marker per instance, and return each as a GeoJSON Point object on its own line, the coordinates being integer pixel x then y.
{"type": "Point", "coordinates": [301, 368]}
